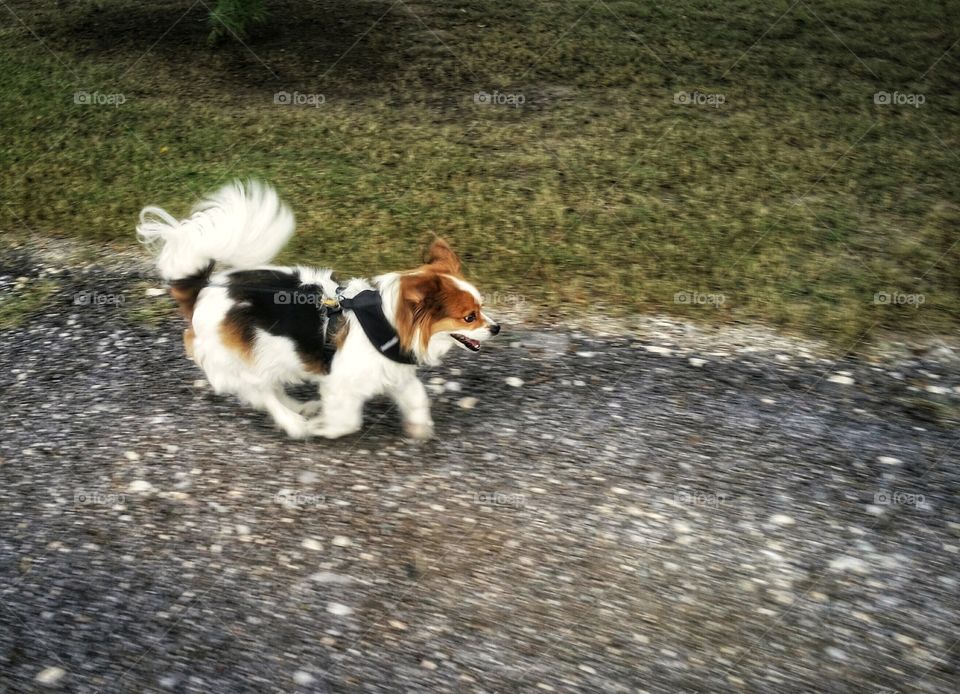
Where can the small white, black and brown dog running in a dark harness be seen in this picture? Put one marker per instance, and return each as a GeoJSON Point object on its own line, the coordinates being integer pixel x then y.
{"type": "Point", "coordinates": [256, 328]}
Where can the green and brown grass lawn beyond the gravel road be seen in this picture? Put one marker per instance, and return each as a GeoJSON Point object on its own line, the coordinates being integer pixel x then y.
{"type": "Point", "coordinates": [797, 200]}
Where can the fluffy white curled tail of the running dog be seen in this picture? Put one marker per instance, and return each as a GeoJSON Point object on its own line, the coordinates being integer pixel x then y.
{"type": "Point", "coordinates": [242, 225]}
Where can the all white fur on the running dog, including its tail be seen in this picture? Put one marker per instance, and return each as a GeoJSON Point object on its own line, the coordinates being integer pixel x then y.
{"type": "Point", "coordinates": [244, 226]}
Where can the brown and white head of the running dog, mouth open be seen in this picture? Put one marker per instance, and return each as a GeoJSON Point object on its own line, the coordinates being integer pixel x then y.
{"type": "Point", "coordinates": [438, 309]}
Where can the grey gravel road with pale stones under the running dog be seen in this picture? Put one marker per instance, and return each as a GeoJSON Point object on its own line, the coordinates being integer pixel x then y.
{"type": "Point", "coordinates": [597, 514]}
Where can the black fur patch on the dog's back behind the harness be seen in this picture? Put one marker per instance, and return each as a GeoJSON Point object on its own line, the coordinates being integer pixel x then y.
{"type": "Point", "coordinates": [276, 302]}
